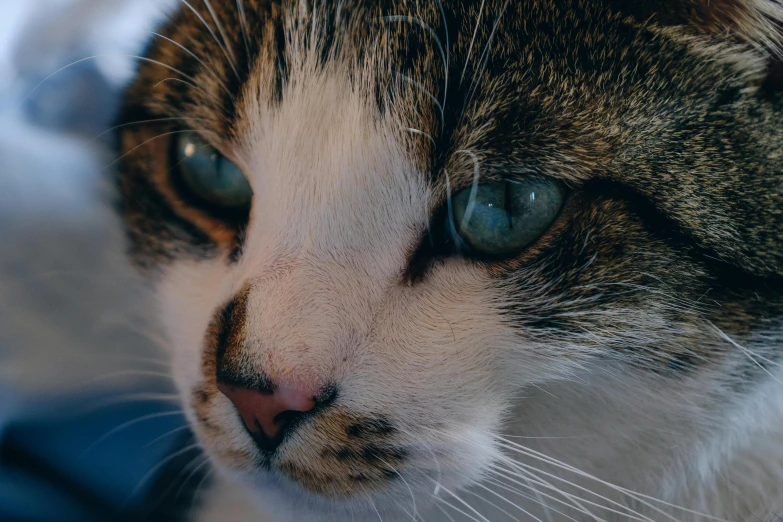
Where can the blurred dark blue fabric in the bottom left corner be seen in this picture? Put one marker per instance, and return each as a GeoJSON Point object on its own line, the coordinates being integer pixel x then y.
{"type": "Point", "coordinates": [110, 462]}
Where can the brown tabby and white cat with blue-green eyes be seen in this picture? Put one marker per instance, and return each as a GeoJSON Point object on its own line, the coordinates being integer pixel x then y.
{"type": "Point", "coordinates": [468, 260]}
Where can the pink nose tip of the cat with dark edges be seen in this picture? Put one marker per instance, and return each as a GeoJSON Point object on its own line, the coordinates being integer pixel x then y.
{"type": "Point", "coordinates": [267, 414]}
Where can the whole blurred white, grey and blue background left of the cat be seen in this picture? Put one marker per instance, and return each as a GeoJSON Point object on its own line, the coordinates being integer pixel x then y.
{"type": "Point", "coordinates": [89, 425]}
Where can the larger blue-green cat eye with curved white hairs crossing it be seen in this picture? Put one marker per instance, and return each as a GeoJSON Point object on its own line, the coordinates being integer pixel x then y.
{"type": "Point", "coordinates": [503, 218]}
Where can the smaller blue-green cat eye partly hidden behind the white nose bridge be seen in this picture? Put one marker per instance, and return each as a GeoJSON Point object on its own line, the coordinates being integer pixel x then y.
{"type": "Point", "coordinates": [210, 175]}
